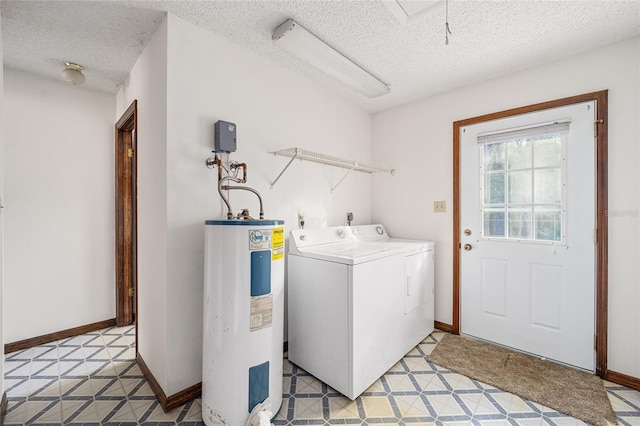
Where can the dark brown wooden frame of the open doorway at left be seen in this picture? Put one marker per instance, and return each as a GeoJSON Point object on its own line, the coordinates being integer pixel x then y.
{"type": "Point", "coordinates": [126, 218]}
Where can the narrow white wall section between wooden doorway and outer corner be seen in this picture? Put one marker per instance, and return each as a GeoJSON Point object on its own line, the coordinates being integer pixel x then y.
{"type": "Point", "coordinates": [148, 84]}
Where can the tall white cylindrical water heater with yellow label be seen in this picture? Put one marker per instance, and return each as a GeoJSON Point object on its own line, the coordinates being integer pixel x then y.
{"type": "Point", "coordinates": [243, 319]}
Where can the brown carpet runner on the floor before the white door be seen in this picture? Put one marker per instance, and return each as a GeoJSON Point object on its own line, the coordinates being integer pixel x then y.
{"type": "Point", "coordinates": [569, 391]}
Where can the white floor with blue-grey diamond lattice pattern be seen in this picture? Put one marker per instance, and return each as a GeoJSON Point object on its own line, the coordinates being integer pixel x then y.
{"type": "Point", "coordinates": [93, 379]}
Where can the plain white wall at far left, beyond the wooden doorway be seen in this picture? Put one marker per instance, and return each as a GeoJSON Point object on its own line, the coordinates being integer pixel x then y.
{"type": "Point", "coordinates": [59, 198]}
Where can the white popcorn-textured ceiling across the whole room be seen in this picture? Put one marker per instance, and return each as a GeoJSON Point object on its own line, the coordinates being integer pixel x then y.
{"type": "Point", "coordinates": [490, 38]}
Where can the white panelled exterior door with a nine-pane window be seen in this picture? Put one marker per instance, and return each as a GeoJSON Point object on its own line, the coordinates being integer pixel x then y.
{"type": "Point", "coordinates": [527, 233]}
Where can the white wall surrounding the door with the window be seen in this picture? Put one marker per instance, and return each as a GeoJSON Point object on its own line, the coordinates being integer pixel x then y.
{"type": "Point", "coordinates": [418, 140]}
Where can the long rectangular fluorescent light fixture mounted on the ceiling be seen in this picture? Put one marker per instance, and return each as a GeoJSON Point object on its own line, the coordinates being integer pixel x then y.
{"type": "Point", "coordinates": [295, 39]}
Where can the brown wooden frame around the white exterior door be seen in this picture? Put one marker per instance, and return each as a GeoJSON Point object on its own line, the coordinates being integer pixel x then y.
{"type": "Point", "coordinates": [601, 273]}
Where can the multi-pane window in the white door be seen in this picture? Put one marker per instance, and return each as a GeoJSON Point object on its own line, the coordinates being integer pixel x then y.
{"type": "Point", "coordinates": [522, 183]}
